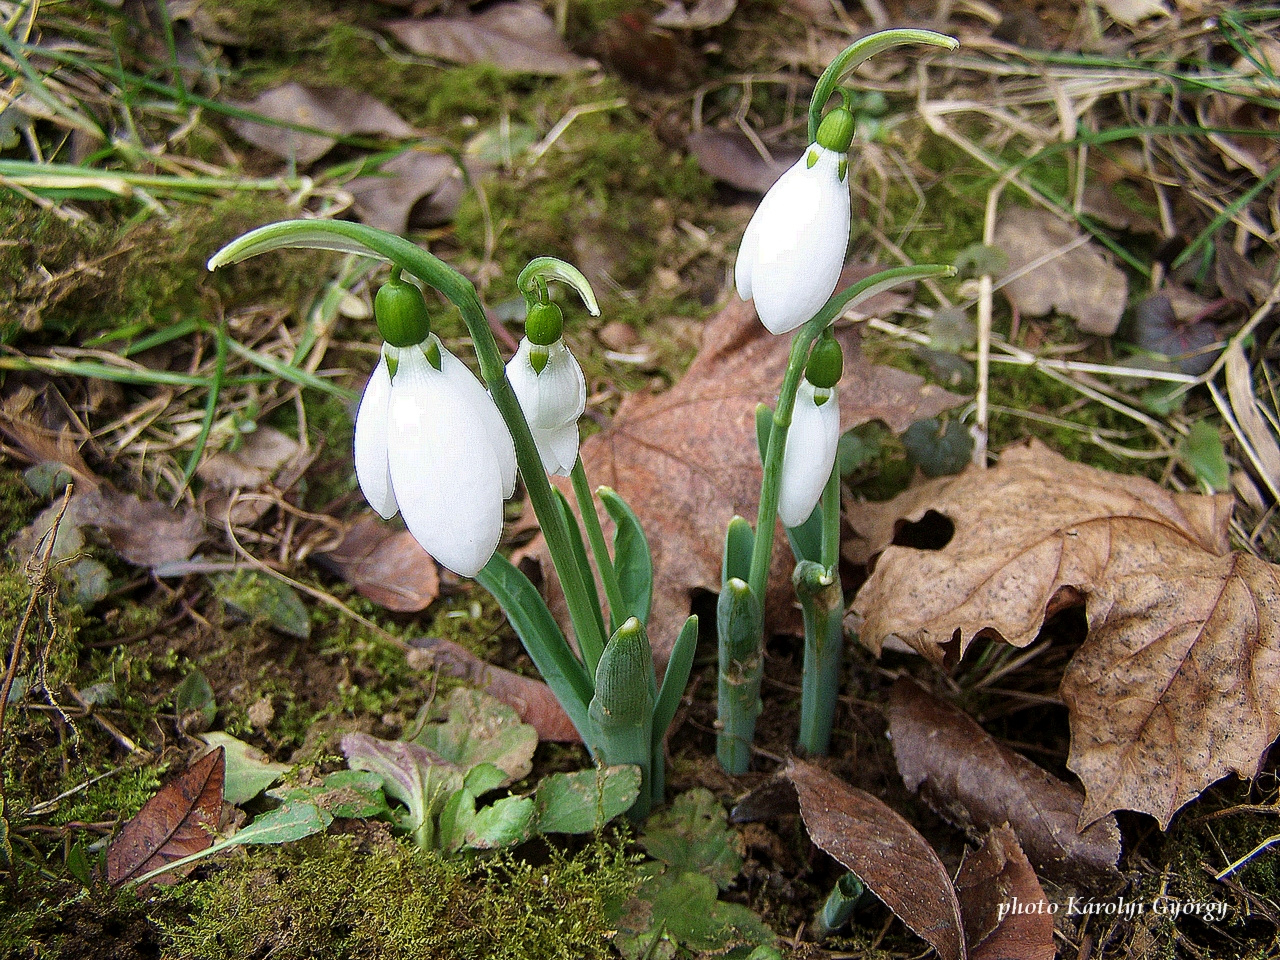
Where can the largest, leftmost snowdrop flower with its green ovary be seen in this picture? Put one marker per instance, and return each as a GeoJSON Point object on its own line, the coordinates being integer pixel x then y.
{"type": "Point", "coordinates": [431, 442]}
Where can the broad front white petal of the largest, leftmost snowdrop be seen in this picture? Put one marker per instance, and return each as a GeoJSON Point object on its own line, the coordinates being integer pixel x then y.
{"type": "Point", "coordinates": [444, 467]}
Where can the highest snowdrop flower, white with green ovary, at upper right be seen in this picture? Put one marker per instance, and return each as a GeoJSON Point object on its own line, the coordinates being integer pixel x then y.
{"type": "Point", "coordinates": [794, 248]}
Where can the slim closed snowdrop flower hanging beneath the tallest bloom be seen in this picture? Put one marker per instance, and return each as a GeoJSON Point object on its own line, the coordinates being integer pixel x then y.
{"type": "Point", "coordinates": [810, 455]}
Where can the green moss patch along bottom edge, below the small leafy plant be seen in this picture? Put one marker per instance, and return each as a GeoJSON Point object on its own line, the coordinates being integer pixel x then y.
{"type": "Point", "coordinates": [327, 898]}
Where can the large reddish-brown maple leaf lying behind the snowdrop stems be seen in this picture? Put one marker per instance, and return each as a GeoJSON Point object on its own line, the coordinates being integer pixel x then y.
{"type": "Point", "coordinates": [687, 460]}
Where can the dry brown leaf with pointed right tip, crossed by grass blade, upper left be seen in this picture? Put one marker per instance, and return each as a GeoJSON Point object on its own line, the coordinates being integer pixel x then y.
{"type": "Point", "coordinates": [336, 111]}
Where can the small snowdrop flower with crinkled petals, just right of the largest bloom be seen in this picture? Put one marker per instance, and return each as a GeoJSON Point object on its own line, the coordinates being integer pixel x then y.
{"type": "Point", "coordinates": [551, 388]}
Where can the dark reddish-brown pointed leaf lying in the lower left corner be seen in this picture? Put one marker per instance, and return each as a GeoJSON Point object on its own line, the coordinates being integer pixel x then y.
{"type": "Point", "coordinates": [179, 821]}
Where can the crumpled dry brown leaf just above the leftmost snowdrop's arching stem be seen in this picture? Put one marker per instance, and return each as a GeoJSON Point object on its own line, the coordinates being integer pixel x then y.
{"type": "Point", "coordinates": [386, 200]}
